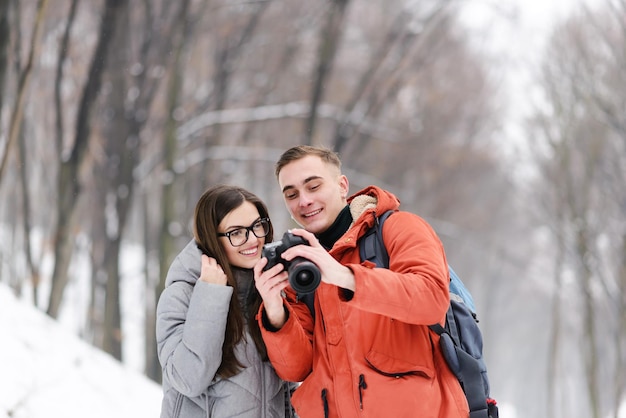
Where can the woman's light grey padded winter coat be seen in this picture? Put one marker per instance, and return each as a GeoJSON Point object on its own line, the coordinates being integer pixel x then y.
{"type": "Point", "coordinates": [190, 327]}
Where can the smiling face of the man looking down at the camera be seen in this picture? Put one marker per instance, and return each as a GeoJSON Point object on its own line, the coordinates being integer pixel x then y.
{"type": "Point", "coordinates": [314, 192]}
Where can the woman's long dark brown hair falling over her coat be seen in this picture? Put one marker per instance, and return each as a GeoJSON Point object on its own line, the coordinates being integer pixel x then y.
{"type": "Point", "coordinates": [211, 208]}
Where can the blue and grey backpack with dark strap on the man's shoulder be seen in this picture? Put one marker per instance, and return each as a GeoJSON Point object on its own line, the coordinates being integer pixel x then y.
{"type": "Point", "coordinates": [461, 340]}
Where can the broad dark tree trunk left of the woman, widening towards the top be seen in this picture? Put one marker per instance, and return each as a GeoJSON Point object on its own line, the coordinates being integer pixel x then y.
{"type": "Point", "coordinates": [123, 142]}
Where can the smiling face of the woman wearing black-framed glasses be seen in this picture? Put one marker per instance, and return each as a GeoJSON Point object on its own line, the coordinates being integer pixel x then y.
{"type": "Point", "coordinates": [247, 254]}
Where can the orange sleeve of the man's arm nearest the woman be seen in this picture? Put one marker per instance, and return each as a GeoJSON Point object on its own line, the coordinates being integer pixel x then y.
{"type": "Point", "coordinates": [290, 349]}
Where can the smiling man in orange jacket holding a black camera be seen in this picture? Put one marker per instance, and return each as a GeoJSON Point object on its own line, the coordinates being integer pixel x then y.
{"type": "Point", "coordinates": [367, 351]}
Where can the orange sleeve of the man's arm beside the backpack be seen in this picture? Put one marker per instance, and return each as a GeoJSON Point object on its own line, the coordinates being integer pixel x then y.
{"type": "Point", "coordinates": [415, 288]}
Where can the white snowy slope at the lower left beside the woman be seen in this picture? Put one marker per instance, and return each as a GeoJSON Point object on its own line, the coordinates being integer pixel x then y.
{"type": "Point", "coordinates": [50, 372]}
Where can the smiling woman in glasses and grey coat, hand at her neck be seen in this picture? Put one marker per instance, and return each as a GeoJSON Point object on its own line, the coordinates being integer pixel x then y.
{"type": "Point", "coordinates": [209, 344]}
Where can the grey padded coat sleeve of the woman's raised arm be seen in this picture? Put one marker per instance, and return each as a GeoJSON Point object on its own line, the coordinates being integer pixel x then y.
{"type": "Point", "coordinates": [190, 329]}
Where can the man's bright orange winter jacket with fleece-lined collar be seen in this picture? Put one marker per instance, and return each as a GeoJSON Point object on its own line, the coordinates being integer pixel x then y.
{"type": "Point", "coordinates": [371, 353]}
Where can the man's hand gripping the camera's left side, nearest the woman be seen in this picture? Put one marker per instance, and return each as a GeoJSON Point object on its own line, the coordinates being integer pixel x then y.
{"type": "Point", "coordinates": [270, 285]}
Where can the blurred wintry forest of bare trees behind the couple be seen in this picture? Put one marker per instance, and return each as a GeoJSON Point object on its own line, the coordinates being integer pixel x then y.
{"type": "Point", "coordinates": [116, 115]}
